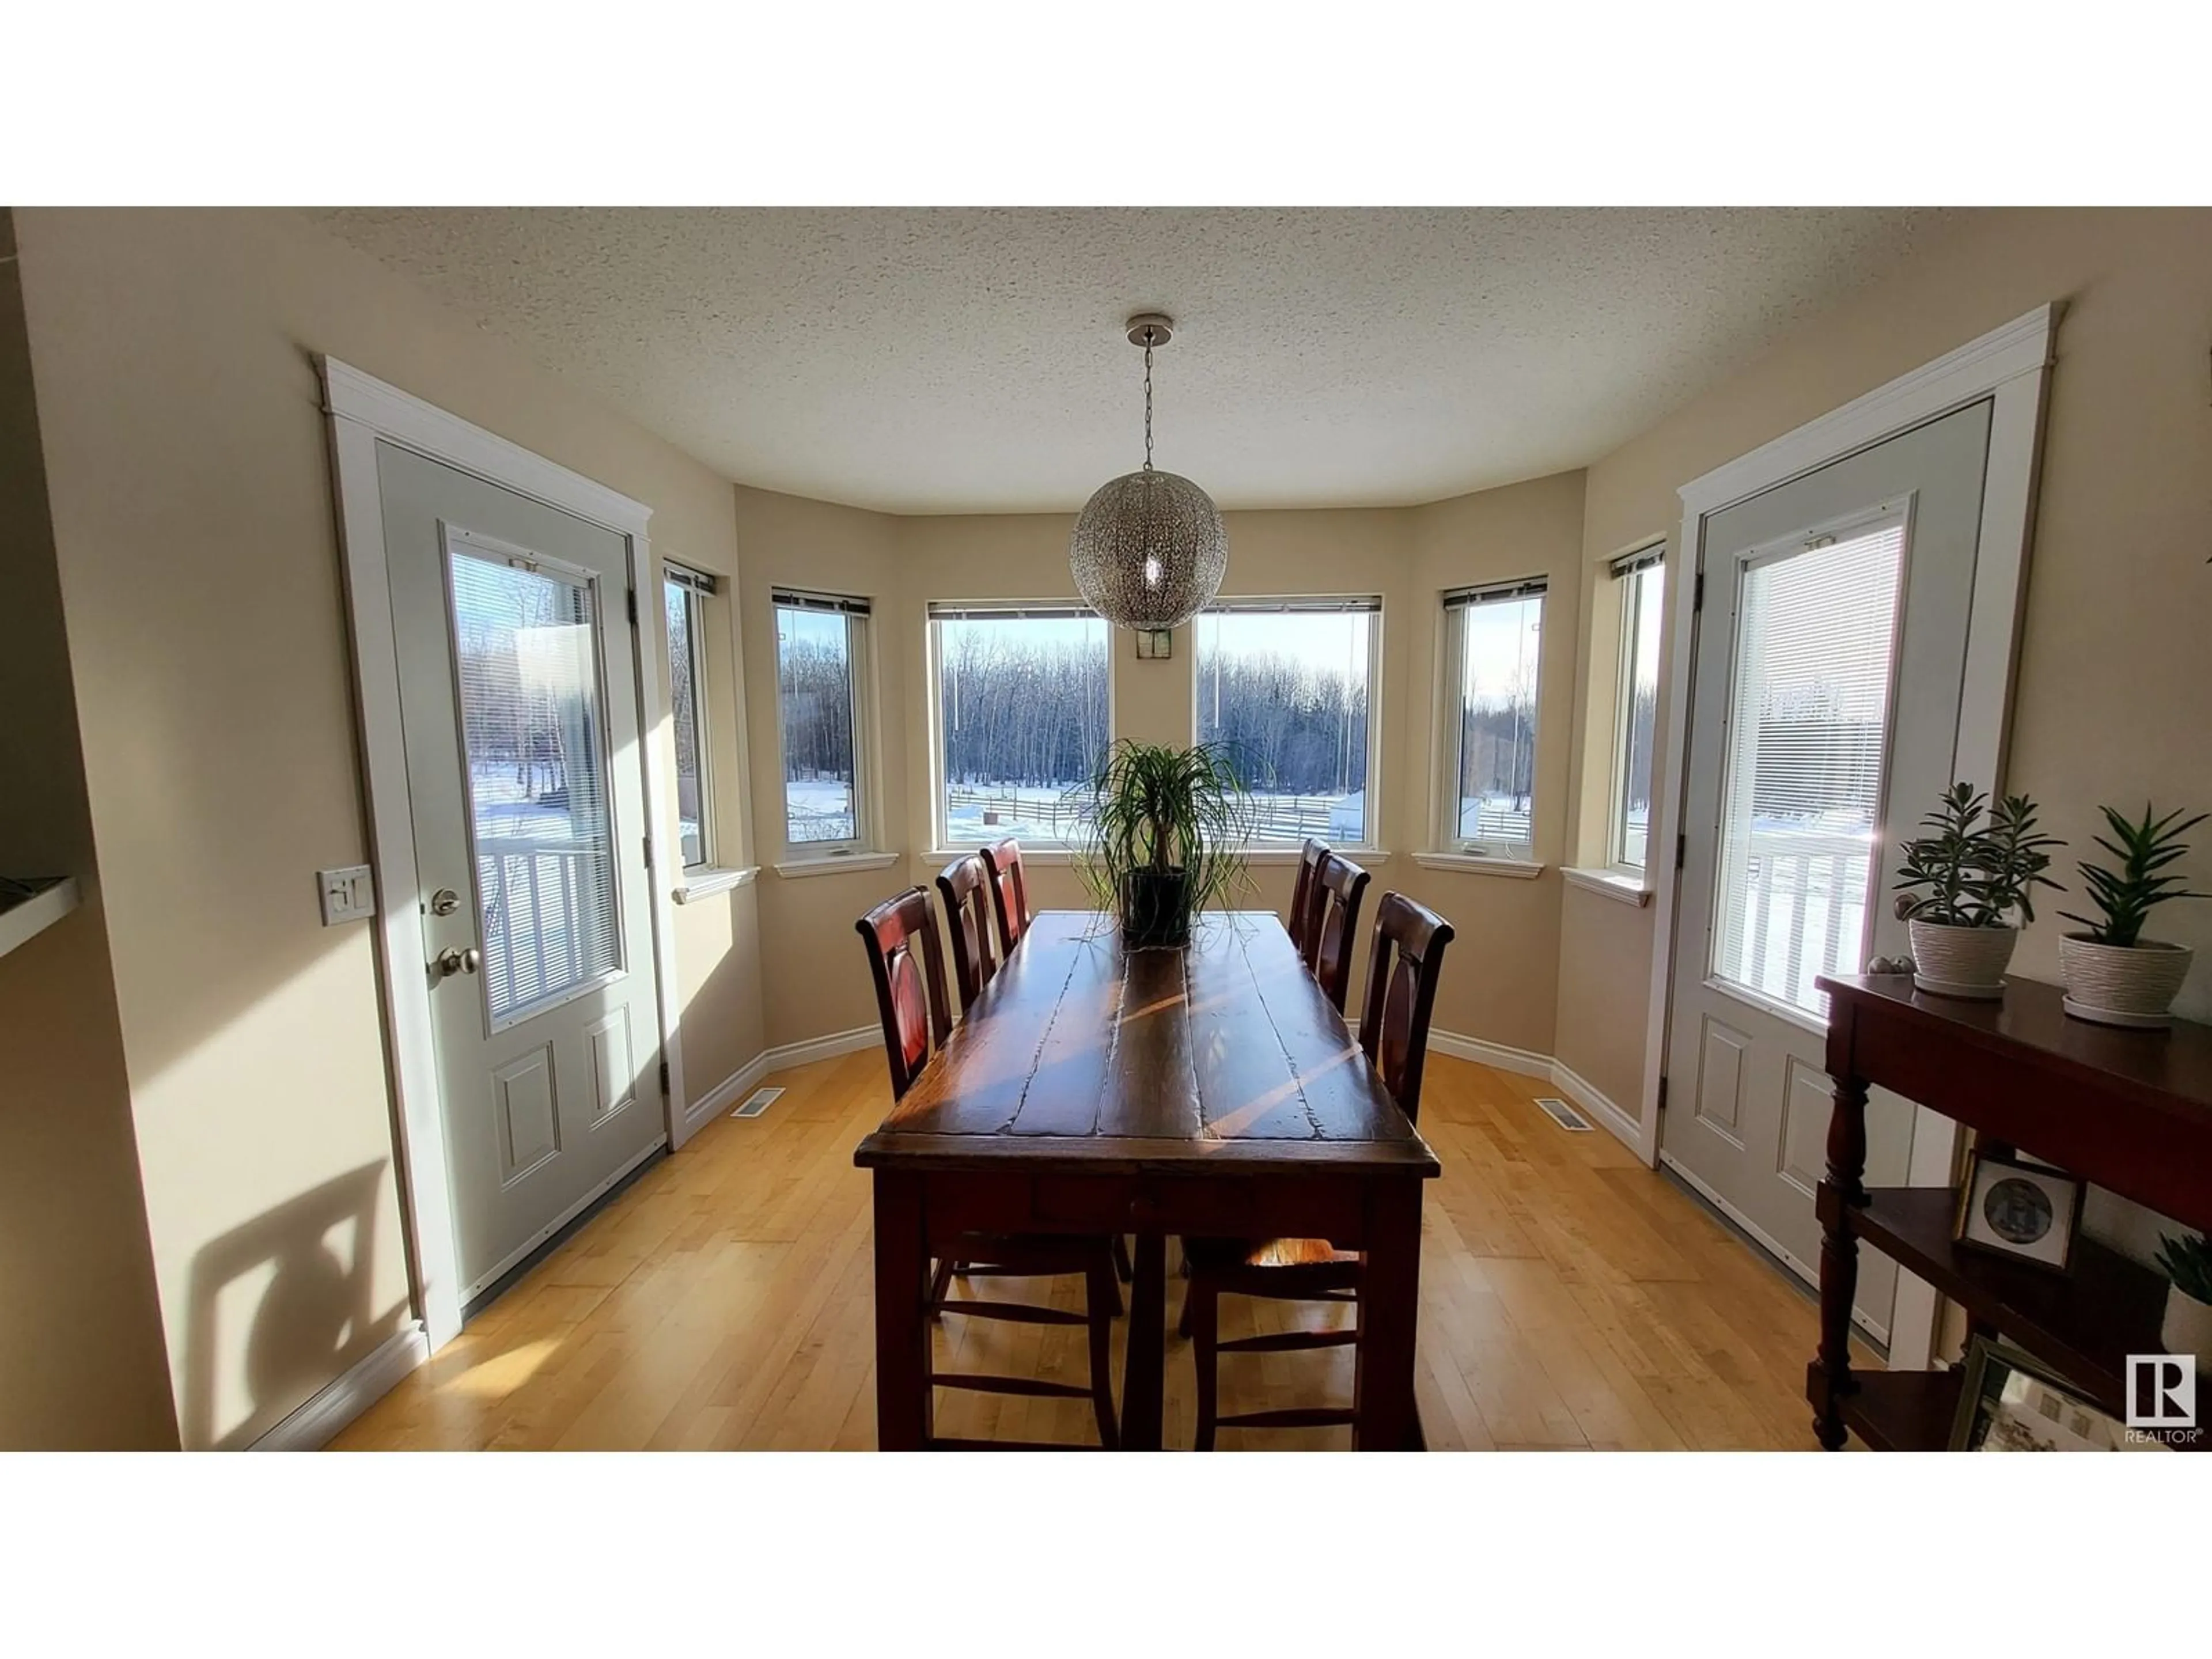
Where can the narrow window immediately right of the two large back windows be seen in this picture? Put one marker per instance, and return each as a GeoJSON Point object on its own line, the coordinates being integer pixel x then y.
{"type": "Point", "coordinates": [1494, 649]}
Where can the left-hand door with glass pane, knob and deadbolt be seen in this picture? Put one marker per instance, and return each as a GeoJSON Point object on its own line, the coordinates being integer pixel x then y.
{"type": "Point", "coordinates": [519, 700]}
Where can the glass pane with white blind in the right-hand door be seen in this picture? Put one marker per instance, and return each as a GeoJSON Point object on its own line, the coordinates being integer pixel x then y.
{"type": "Point", "coordinates": [1808, 731]}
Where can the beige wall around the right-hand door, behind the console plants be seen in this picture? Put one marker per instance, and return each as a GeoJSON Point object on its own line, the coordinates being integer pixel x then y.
{"type": "Point", "coordinates": [2114, 674]}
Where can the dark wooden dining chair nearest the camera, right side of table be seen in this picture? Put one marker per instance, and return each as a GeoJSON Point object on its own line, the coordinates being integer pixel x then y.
{"type": "Point", "coordinates": [1395, 1034]}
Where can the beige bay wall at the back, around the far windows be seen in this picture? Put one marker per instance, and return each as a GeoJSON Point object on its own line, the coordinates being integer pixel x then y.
{"type": "Point", "coordinates": [1501, 983]}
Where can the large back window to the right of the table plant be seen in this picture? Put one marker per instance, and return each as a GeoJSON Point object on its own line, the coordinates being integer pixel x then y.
{"type": "Point", "coordinates": [1286, 691]}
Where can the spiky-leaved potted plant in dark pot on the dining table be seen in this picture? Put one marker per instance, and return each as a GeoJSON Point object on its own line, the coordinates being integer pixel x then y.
{"type": "Point", "coordinates": [1165, 835]}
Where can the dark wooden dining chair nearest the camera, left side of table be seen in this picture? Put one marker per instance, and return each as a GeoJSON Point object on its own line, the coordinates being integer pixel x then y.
{"type": "Point", "coordinates": [908, 966]}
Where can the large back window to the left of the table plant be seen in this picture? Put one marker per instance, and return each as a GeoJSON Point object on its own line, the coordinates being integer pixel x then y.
{"type": "Point", "coordinates": [1023, 718]}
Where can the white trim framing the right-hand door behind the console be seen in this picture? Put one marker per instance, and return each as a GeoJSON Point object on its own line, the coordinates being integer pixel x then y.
{"type": "Point", "coordinates": [2014, 368]}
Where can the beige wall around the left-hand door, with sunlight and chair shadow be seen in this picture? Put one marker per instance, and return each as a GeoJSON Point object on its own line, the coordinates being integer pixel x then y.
{"type": "Point", "coordinates": [194, 523]}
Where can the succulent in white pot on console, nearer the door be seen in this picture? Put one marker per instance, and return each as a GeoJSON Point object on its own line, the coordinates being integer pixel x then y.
{"type": "Point", "coordinates": [1961, 888]}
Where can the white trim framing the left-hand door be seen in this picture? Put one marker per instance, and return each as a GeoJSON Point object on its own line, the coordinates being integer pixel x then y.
{"type": "Point", "coordinates": [362, 413]}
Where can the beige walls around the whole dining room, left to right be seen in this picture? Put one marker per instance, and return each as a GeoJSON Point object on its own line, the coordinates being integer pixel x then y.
{"type": "Point", "coordinates": [194, 552]}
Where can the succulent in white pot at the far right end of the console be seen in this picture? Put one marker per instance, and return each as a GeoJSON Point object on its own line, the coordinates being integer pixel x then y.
{"type": "Point", "coordinates": [2114, 974]}
